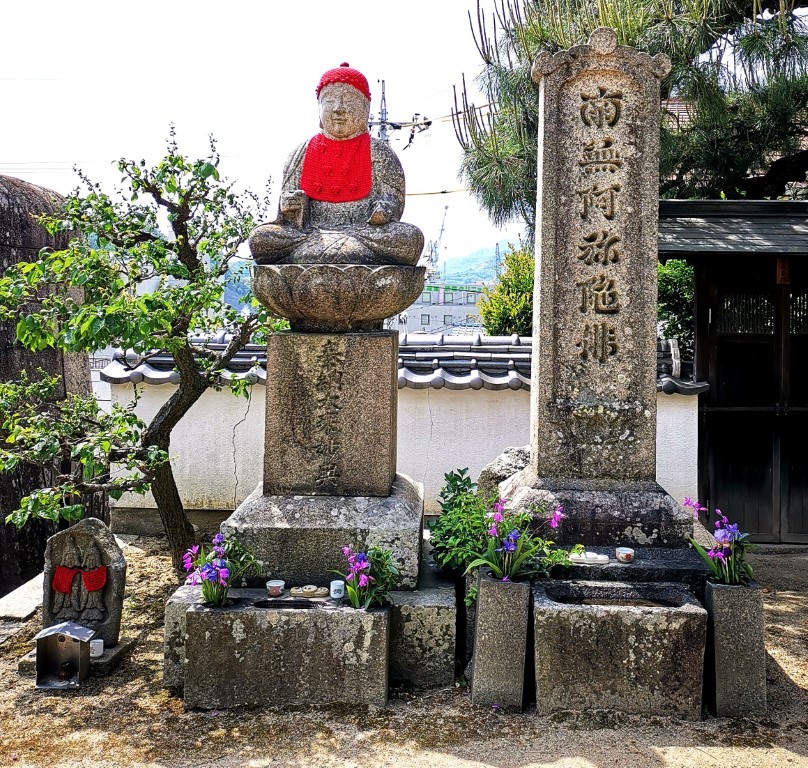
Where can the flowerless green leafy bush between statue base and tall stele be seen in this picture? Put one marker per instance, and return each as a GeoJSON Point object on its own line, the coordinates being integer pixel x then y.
{"type": "Point", "coordinates": [461, 529]}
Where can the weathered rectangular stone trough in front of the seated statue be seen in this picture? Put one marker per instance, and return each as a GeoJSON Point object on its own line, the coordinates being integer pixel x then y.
{"type": "Point", "coordinates": [261, 652]}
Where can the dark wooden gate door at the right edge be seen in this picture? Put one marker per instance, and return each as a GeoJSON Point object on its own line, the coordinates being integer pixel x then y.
{"type": "Point", "coordinates": [752, 348]}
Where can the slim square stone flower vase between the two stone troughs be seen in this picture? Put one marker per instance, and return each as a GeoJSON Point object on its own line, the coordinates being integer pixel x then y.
{"type": "Point", "coordinates": [500, 642]}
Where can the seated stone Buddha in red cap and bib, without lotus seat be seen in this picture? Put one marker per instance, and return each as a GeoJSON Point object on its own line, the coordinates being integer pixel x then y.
{"type": "Point", "coordinates": [343, 192]}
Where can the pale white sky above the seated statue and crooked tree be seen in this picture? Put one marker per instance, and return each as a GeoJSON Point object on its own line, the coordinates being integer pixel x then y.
{"type": "Point", "coordinates": [88, 82]}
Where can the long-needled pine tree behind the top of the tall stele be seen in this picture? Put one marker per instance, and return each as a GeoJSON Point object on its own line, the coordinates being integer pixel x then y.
{"type": "Point", "coordinates": [739, 75]}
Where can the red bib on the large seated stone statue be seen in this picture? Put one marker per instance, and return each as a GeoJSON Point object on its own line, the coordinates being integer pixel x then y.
{"type": "Point", "coordinates": [337, 171]}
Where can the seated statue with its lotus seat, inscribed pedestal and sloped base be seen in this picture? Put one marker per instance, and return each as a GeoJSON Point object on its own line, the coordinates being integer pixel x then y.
{"type": "Point", "coordinates": [336, 262]}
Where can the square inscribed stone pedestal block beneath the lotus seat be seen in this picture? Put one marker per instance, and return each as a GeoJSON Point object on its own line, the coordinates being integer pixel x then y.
{"type": "Point", "coordinates": [331, 414]}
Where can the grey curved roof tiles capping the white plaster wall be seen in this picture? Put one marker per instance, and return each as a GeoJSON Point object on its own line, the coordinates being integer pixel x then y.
{"type": "Point", "coordinates": [424, 361]}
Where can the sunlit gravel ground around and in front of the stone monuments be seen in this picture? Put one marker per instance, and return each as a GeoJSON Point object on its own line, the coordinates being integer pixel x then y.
{"type": "Point", "coordinates": [127, 719]}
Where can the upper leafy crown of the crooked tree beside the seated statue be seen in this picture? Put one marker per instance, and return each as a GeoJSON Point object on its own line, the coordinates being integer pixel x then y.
{"type": "Point", "coordinates": [122, 281]}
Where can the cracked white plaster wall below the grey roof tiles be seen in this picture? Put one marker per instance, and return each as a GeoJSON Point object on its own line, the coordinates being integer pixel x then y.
{"type": "Point", "coordinates": [217, 449]}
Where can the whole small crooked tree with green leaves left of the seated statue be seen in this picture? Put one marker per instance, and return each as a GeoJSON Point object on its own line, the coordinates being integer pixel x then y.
{"type": "Point", "coordinates": [144, 270]}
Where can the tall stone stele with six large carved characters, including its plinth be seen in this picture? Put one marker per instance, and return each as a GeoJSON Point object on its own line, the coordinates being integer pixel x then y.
{"type": "Point", "coordinates": [593, 395]}
